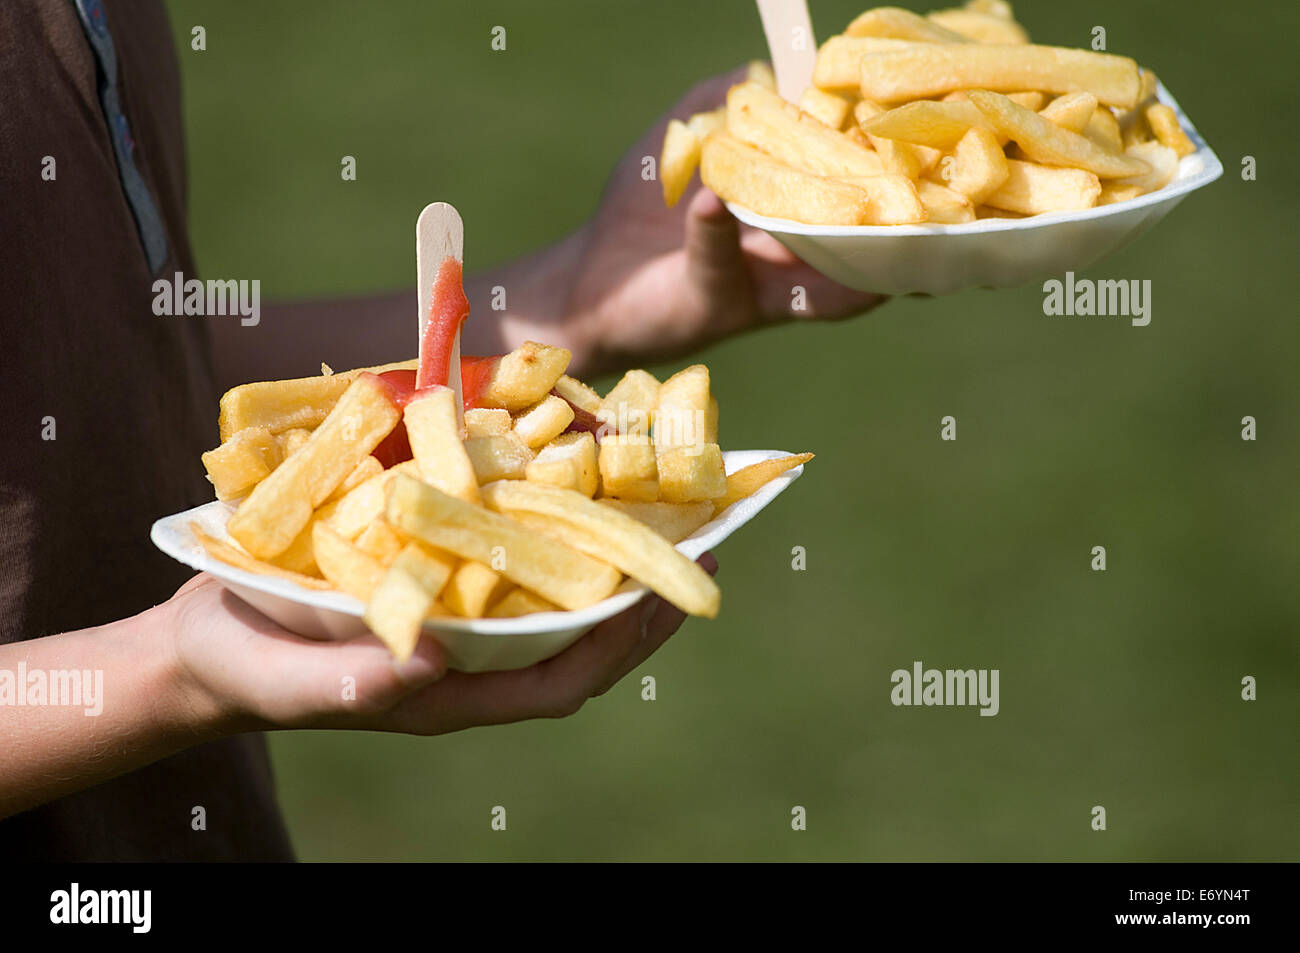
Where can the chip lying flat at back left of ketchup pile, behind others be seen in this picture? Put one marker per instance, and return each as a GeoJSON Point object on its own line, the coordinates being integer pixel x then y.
{"type": "Point", "coordinates": [281, 406]}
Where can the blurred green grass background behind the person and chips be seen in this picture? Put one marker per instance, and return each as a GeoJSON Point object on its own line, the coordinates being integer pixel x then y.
{"type": "Point", "coordinates": [1119, 688]}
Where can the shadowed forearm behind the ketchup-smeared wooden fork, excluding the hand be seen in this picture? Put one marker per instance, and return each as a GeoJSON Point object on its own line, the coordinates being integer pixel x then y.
{"type": "Point", "coordinates": [293, 339]}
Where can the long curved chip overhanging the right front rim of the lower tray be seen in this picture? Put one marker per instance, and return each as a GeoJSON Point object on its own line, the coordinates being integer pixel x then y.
{"type": "Point", "coordinates": [614, 539]}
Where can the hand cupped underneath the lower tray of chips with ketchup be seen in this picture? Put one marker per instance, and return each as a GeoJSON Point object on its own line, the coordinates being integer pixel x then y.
{"type": "Point", "coordinates": [245, 673]}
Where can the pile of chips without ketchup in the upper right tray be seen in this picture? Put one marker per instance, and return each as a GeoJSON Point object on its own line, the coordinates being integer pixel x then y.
{"type": "Point", "coordinates": [943, 119]}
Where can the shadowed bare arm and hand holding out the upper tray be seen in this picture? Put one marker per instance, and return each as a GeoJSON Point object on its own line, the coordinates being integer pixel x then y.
{"type": "Point", "coordinates": [638, 283]}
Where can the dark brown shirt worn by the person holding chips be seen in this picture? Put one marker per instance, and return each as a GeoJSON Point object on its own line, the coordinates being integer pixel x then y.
{"type": "Point", "coordinates": [131, 401]}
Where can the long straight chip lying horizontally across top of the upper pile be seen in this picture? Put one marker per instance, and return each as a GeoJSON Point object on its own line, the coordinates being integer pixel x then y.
{"type": "Point", "coordinates": [931, 70]}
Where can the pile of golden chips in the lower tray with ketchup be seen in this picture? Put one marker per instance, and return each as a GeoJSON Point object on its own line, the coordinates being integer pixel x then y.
{"type": "Point", "coordinates": [543, 497]}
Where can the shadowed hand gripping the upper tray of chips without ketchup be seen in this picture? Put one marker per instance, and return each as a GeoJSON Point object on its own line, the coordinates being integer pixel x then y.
{"type": "Point", "coordinates": [656, 281]}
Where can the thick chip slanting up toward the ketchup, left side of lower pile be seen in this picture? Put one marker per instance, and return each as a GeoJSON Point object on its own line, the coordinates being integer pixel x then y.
{"type": "Point", "coordinates": [281, 506]}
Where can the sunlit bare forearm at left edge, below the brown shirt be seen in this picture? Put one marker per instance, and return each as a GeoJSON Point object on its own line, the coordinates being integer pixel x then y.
{"type": "Point", "coordinates": [127, 707]}
